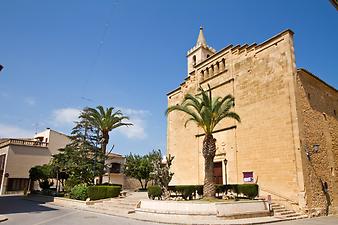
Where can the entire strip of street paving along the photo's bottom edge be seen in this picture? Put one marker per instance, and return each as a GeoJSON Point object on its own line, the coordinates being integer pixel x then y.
{"type": "Point", "coordinates": [21, 212]}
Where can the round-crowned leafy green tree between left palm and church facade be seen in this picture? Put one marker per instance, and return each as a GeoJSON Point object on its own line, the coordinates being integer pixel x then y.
{"type": "Point", "coordinates": [141, 167]}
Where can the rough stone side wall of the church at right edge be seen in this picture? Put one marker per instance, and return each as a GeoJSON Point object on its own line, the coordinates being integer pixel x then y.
{"type": "Point", "coordinates": [317, 106]}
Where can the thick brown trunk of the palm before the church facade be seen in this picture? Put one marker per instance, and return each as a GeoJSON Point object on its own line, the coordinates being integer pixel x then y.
{"type": "Point", "coordinates": [209, 151]}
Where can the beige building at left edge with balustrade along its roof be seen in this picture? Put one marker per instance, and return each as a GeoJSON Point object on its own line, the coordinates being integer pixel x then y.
{"type": "Point", "coordinates": [17, 156]}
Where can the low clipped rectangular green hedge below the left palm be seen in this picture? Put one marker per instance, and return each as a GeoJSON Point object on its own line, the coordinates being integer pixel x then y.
{"type": "Point", "coordinates": [101, 192]}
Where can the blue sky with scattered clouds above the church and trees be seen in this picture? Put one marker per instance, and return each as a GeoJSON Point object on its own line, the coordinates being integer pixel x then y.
{"type": "Point", "coordinates": [60, 56]}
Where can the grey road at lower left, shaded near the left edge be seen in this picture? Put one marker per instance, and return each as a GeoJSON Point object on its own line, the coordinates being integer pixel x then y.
{"type": "Point", "coordinates": [24, 212]}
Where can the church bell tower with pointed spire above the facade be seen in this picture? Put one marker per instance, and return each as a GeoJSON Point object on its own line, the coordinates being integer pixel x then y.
{"type": "Point", "coordinates": [200, 52]}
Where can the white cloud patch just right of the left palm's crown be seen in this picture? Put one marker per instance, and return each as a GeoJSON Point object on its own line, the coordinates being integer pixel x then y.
{"type": "Point", "coordinates": [136, 117]}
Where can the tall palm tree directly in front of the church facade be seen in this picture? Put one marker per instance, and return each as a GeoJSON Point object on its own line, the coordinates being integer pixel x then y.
{"type": "Point", "coordinates": [207, 112]}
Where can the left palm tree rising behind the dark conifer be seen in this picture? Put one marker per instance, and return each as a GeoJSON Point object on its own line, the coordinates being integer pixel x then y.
{"type": "Point", "coordinates": [105, 120]}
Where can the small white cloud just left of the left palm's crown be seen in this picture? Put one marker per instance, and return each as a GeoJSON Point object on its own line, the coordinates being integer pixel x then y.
{"type": "Point", "coordinates": [65, 116]}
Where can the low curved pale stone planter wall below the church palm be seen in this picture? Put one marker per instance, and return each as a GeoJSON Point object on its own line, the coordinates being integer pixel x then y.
{"type": "Point", "coordinates": [231, 210]}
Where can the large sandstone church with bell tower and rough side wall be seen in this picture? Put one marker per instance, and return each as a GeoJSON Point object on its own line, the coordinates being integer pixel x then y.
{"type": "Point", "coordinates": [287, 141]}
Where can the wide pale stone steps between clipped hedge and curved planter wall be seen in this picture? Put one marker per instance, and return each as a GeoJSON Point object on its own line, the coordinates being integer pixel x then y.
{"type": "Point", "coordinates": [119, 206]}
